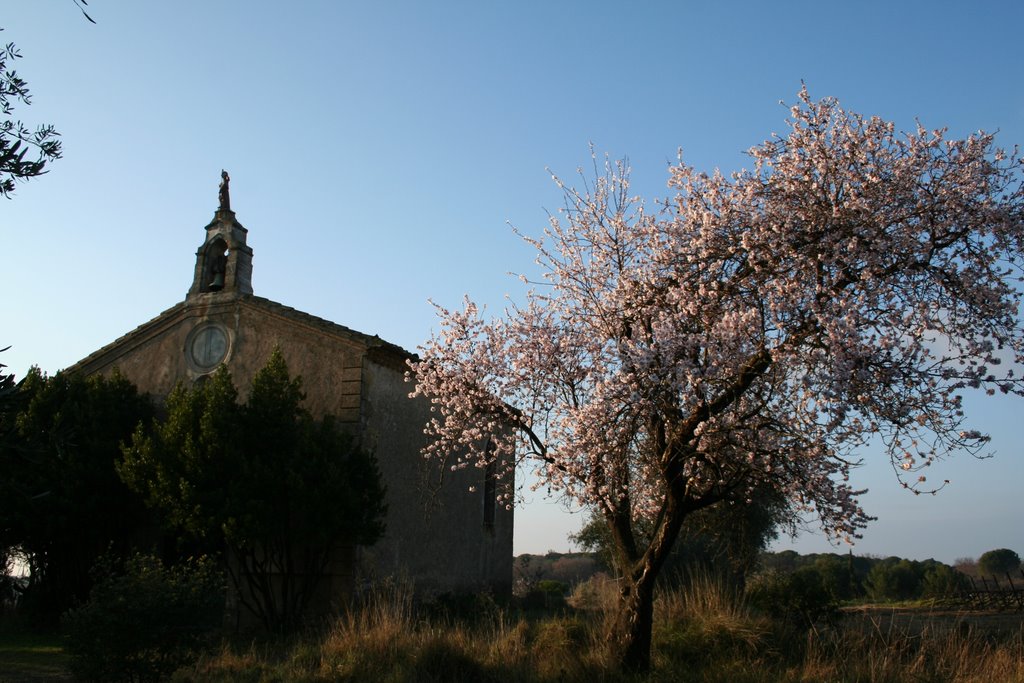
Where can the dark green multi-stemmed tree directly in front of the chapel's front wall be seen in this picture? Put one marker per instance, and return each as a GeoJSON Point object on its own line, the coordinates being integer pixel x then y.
{"type": "Point", "coordinates": [280, 491]}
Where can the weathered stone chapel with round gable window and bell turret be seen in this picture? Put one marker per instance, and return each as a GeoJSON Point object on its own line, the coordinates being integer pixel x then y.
{"type": "Point", "coordinates": [442, 539]}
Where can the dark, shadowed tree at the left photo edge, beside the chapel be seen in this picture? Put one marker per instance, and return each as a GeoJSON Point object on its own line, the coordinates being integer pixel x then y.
{"type": "Point", "coordinates": [62, 504]}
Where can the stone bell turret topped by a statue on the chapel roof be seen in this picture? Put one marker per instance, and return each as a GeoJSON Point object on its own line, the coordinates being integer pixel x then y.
{"type": "Point", "coordinates": [224, 263]}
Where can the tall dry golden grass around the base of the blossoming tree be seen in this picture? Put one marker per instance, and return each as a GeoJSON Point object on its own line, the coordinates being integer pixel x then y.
{"type": "Point", "coordinates": [704, 632]}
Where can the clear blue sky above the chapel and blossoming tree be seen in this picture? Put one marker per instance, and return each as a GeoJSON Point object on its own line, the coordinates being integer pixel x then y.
{"type": "Point", "coordinates": [378, 152]}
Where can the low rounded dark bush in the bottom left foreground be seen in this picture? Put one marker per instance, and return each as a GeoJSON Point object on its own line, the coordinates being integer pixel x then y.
{"type": "Point", "coordinates": [145, 623]}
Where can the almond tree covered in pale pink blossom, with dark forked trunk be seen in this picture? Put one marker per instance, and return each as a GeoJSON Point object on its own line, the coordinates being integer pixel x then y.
{"type": "Point", "coordinates": [754, 330]}
